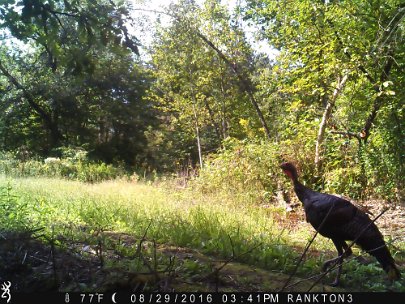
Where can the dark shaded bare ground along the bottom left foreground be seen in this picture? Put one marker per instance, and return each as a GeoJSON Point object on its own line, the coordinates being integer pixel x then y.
{"type": "Point", "coordinates": [33, 266]}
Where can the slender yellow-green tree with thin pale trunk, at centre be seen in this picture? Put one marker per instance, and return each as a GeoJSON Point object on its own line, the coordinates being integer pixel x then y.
{"type": "Point", "coordinates": [197, 87]}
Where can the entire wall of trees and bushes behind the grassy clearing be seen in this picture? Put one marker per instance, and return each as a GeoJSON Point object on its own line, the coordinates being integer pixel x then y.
{"type": "Point", "coordinates": [326, 90]}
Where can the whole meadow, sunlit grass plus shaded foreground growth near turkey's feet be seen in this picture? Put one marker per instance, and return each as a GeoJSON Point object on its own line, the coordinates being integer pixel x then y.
{"type": "Point", "coordinates": [160, 217]}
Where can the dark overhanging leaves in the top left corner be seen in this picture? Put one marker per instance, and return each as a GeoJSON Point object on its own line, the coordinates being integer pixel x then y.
{"type": "Point", "coordinates": [53, 25]}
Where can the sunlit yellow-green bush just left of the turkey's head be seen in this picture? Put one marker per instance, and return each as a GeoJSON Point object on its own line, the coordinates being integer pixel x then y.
{"type": "Point", "coordinates": [241, 167]}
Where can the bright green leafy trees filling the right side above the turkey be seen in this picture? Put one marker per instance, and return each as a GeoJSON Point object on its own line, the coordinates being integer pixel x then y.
{"type": "Point", "coordinates": [319, 44]}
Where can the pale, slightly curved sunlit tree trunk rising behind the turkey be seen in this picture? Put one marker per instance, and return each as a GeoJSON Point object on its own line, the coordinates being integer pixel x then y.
{"type": "Point", "coordinates": [326, 115]}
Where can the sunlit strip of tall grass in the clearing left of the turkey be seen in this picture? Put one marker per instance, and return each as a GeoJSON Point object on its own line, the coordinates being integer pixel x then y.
{"type": "Point", "coordinates": [180, 218]}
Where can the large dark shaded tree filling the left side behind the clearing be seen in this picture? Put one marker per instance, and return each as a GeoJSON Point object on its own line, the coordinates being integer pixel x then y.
{"type": "Point", "coordinates": [75, 81]}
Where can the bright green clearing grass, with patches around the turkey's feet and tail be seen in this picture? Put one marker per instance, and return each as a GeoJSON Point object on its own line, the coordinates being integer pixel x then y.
{"type": "Point", "coordinates": [215, 224]}
